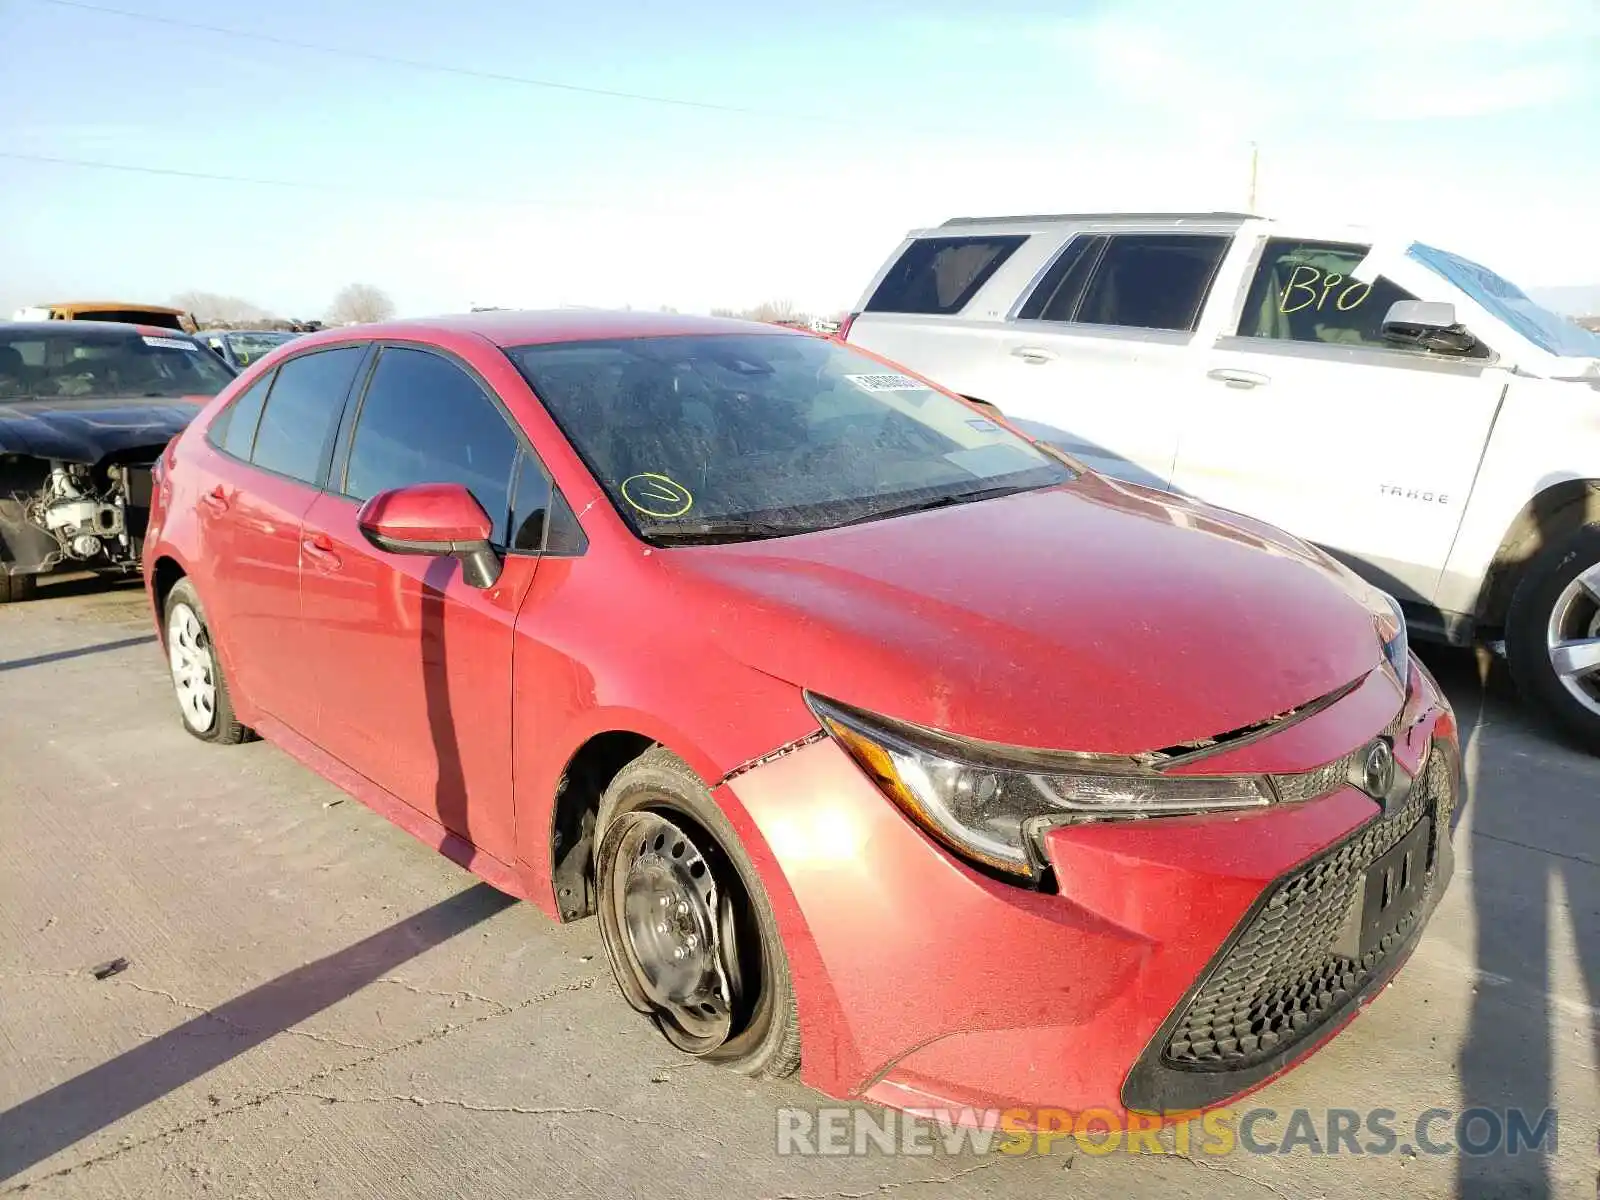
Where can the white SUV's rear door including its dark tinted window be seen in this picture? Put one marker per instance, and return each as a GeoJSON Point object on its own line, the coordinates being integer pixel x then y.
{"type": "Point", "coordinates": [1098, 356]}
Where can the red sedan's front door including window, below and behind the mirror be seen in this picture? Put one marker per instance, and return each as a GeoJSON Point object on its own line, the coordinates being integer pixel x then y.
{"type": "Point", "coordinates": [415, 665]}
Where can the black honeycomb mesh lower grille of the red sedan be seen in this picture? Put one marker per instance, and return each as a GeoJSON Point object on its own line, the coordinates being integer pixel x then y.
{"type": "Point", "coordinates": [1282, 978]}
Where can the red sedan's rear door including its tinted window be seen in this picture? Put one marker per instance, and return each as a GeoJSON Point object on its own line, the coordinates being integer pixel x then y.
{"type": "Point", "coordinates": [274, 449]}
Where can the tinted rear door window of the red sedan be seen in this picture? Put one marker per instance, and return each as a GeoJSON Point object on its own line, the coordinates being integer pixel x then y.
{"type": "Point", "coordinates": [303, 412]}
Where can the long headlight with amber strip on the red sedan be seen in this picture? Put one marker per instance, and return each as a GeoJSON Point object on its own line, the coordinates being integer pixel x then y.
{"type": "Point", "coordinates": [988, 802]}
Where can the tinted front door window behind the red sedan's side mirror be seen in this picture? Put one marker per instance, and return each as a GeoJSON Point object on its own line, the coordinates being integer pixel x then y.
{"type": "Point", "coordinates": [428, 422]}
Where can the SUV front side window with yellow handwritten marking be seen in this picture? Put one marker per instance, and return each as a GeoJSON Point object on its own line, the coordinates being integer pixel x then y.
{"type": "Point", "coordinates": [1305, 292]}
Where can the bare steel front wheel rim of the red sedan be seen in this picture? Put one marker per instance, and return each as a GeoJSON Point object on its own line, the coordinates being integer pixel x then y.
{"type": "Point", "coordinates": [668, 930]}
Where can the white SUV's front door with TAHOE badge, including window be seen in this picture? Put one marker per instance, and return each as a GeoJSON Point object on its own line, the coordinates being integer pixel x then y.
{"type": "Point", "coordinates": [1311, 422]}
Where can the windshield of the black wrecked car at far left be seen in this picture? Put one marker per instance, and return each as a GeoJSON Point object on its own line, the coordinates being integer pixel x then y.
{"type": "Point", "coordinates": [89, 361]}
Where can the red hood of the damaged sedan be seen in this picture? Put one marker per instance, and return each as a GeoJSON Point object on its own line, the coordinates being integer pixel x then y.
{"type": "Point", "coordinates": [1092, 617]}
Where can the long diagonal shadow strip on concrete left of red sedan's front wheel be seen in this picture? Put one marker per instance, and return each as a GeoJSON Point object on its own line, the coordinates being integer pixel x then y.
{"type": "Point", "coordinates": [57, 1119]}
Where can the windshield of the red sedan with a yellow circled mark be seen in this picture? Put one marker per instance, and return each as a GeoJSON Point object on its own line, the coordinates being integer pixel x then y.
{"type": "Point", "coordinates": [730, 438]}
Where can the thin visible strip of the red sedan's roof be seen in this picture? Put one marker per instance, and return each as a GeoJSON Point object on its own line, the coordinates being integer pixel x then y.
{"type": "Point", "coordinates": [556, 326]}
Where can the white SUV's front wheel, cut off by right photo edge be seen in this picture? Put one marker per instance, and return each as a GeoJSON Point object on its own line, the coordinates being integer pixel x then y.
{"type": "Point", "coordinates": [1553, 633]}
